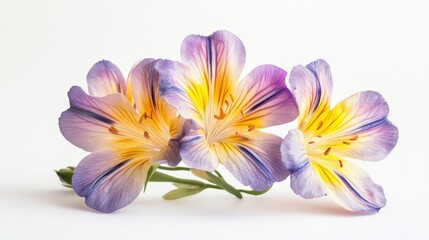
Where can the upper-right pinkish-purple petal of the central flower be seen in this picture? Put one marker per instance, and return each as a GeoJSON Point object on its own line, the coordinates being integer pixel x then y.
{"type": "Point", "coordinates": [263, 99]}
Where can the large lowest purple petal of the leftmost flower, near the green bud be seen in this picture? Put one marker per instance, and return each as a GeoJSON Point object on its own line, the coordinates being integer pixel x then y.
{"type": "Point", "coordinates": [108, 181]}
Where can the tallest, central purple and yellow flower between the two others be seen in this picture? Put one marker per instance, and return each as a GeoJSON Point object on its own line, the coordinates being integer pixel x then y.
{"type": "Point", "coordinates": [227, 114]}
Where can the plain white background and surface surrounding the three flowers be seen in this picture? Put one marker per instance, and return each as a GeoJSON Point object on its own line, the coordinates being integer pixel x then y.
{"type": "Point", "coordinates": [48, 46]}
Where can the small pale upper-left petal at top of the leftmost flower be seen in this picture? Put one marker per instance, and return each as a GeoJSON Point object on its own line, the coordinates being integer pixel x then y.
{"type": "Point", "coordinates": [105, 78]}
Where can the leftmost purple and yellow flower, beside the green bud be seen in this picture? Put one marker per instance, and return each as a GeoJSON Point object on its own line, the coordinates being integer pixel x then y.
{"type": "Point", "coordinates": [128, 128]}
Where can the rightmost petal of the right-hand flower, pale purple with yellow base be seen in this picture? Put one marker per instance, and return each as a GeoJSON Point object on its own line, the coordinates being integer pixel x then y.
{"type": "Point", "coordinates": [358, 128]}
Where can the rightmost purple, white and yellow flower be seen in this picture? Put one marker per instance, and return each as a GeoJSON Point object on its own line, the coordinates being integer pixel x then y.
{"type": "Point", "coordinates": [355, 128]}
